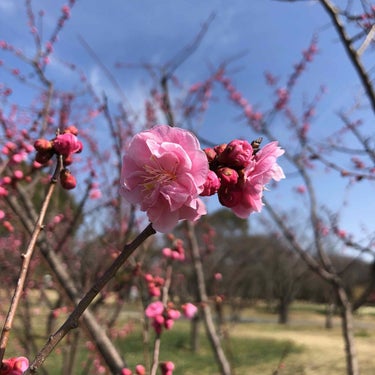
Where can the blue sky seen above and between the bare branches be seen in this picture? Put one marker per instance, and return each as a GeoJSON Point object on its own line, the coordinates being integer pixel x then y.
{"type": "Point", "coordinates": [273, 35]}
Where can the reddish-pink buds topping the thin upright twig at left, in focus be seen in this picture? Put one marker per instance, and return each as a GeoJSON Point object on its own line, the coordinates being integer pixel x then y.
{"type": "Point", "coordinates": [65, 144]}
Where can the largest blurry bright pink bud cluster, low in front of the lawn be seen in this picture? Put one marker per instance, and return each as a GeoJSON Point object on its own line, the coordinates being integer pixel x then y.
{"type": "Point", "coordinates": [161, 317]}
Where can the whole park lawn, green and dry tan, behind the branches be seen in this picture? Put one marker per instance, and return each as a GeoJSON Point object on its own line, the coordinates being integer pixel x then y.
{"type": "Point", "coordinates": [257, 346]}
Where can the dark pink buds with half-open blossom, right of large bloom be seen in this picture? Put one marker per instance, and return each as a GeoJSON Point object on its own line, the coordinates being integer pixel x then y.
{"type": "Point", "coordinates": [239, 172]}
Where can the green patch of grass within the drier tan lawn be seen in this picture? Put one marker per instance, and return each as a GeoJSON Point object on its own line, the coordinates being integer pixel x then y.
{"type": "Point", "coordinates": [242, 352]}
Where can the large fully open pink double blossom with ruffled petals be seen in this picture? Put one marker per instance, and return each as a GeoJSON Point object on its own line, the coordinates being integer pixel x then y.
{"type": "Point", "coordinates": [164, 171]}
